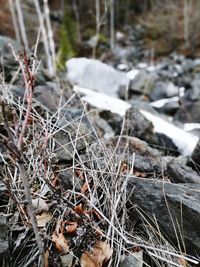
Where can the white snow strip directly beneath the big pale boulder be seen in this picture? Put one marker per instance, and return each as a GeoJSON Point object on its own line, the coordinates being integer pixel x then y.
{"type": "Point", "coordinates": [103, 101]}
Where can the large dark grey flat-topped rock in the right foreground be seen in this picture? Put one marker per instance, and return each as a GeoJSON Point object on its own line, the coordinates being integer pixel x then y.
{"type": "Point", "coordinates": [182, 206]}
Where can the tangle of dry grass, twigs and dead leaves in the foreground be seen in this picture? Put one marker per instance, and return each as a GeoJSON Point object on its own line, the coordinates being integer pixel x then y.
{"type": "Point", "coordinates": [91, 218]}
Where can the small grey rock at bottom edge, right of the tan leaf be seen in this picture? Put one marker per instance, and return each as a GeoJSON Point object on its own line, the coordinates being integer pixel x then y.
{"type": "Point", "coordinates": [133, 260]}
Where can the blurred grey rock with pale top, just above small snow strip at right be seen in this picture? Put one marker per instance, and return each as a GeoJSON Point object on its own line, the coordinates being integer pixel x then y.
{"type": "Point", "coordinates": [163, 90]}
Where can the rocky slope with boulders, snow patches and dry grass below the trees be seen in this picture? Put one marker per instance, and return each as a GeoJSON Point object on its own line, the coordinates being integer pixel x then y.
{"type": "Point", "coordinates": [111, 153]}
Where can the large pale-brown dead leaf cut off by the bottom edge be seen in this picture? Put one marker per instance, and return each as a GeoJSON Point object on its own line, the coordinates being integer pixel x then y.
{"type": "Point", "coordinates": [99, 255]}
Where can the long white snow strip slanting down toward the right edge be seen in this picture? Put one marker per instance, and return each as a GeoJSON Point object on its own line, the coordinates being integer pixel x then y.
{"type": "Point", "coordinates": [185, 142]}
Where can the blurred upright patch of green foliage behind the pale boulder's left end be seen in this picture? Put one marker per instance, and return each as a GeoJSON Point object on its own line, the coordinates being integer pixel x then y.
{"type": "Point", "coordinates": [67, 39]}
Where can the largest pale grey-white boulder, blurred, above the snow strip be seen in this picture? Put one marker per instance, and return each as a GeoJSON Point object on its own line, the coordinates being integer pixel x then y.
{"type": "Point", "coordinates": [95, 75]}
